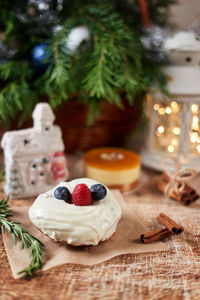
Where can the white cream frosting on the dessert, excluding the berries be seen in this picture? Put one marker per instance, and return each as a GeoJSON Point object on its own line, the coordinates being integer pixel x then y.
{"type": "Point", "coordinates": [77, 225]}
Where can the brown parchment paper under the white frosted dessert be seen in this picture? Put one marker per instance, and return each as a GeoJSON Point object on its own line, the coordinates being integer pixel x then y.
{"type": "Point", "coordinates": [126, 240]}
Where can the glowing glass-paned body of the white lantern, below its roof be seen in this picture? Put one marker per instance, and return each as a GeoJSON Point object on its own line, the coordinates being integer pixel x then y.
{"type": "Point", "coordinates": [175, 126]}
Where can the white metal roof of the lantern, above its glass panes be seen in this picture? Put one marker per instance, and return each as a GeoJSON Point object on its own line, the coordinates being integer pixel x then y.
{"type": "Point", "coordinates": [183, 49]}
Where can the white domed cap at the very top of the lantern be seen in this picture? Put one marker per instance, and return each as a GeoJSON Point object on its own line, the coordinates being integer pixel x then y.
{"type": "Point", "coordinates": [182, 41]}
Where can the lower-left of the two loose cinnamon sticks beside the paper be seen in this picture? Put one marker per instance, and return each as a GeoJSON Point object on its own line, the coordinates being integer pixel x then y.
{"type": "Point", "coordinates": [155, 235]}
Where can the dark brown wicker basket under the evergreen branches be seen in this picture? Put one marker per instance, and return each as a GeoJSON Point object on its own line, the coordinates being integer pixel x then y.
{"type": "Point", "coordinates": [109, 129]}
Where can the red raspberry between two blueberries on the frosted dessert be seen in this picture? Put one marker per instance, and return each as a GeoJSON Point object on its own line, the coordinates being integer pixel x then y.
{"type": "Point", "coordinates": [81, 195]}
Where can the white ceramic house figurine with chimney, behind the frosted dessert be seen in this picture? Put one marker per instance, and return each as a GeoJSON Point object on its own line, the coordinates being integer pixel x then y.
{"type": "Point", "coordinates": [34, 158]}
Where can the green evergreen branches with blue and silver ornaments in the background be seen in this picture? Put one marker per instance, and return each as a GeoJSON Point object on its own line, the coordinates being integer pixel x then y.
{"type": "Point", "coordinates": [62, 48]}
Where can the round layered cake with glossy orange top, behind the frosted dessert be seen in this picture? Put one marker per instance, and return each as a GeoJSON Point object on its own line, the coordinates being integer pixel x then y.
{"type": "Point", "coordinates": [114, 167]}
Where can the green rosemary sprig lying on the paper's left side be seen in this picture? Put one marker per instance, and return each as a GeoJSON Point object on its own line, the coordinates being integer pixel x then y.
{"type": "Point", "coordinates": [18, 232]}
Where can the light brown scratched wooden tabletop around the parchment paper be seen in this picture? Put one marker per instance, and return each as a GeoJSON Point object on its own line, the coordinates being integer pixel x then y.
{"type": "Point", "coordinates": [171, 275]}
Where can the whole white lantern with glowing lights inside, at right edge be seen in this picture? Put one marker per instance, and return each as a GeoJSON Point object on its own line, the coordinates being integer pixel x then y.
{"type": "Point", "coordinates": [173, 129]}
